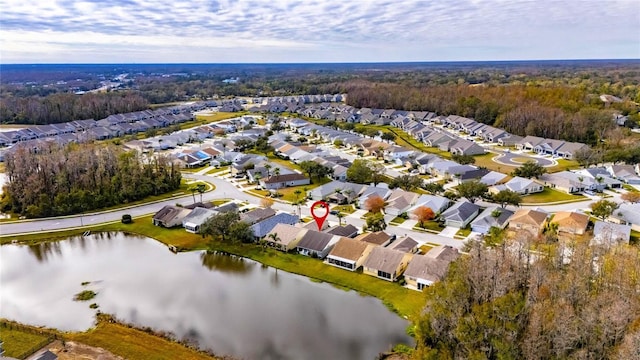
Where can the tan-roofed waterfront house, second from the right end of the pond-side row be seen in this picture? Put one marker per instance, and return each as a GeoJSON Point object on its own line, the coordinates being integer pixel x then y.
{"type": "Point", "coordinates": [387, 264]}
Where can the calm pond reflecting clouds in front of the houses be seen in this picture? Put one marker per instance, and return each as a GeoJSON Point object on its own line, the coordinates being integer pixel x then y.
{"type": "Point", "coordinates": [230, 305]}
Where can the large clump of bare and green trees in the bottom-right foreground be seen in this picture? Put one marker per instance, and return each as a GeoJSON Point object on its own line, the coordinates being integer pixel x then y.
{"type": "Point", "coordinates": [579, 302]}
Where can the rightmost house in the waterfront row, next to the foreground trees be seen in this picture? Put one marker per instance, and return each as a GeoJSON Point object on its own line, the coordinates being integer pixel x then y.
{"type": "Point", "coordinates": [424, 270]}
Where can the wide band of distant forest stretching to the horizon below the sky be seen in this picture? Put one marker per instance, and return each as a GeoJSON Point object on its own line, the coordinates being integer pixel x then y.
{"type": "Point", "coordinates": [549, 99]}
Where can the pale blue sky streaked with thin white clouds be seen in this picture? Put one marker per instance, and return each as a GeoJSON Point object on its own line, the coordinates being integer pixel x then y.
{"type": "Point", "coordinates": [292, 31]}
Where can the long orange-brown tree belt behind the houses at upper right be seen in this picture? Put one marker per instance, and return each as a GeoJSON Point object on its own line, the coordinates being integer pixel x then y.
{"type": "Point", "coordinates": [567, 113]}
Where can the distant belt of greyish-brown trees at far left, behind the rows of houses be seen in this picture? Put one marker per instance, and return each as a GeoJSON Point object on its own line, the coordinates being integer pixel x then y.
{"type": "Point", "coordinates": [62, 107]}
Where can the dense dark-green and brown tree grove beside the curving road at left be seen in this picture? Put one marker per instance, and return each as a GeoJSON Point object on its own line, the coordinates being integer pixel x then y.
{"type": "Point", "coordinates": [68, 180]}
